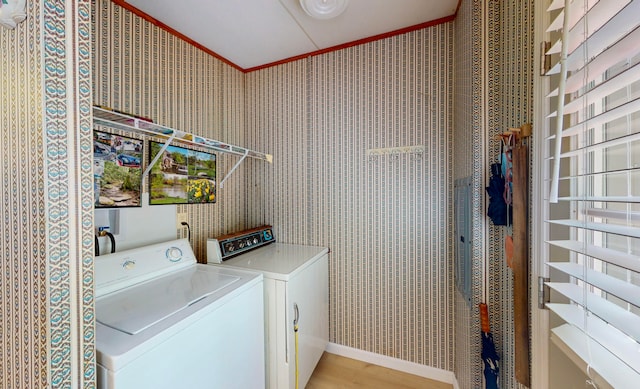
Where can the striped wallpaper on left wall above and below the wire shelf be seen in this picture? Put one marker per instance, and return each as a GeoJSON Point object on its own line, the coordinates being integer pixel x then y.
{"type": "Point", "coordinates": [142, 69]}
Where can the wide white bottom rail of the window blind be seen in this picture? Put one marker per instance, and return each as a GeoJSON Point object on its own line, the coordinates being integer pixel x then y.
{"type": "Point", "coordinates": [601, 360]}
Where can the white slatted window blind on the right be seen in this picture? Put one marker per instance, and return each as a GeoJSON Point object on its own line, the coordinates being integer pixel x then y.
{"type": "Point", "coordinates": [593, 146]}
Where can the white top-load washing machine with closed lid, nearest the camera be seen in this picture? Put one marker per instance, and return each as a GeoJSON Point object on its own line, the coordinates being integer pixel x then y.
{"type": "Point", "coordinates": [164, 321]}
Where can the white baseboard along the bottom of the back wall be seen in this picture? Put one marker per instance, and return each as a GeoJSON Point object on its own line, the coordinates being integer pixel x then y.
{"type": "Point", "coordinates": [395, 364]}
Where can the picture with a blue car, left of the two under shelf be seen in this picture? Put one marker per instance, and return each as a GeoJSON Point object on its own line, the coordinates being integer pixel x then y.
{"type": "Point", "coordinates": [117, 170]}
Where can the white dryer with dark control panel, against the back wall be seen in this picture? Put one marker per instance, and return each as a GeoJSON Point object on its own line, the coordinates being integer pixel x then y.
{"type": "Point", "coordinates": [296, 289]}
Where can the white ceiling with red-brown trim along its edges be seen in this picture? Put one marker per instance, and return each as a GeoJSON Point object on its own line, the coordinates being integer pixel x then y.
{"type": "Point", "coordinates": [254, 33]}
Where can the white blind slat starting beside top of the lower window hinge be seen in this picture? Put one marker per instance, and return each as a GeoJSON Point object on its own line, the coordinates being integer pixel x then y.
{"type": "Point", "coordinates": [620, 318]}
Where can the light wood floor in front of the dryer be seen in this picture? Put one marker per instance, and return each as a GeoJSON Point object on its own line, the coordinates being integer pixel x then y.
{"type": "Point", "coordinates": [334, 371]}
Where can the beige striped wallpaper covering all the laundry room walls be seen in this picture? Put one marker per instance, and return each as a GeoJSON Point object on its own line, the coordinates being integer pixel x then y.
{"type": "Point", "coordinates": [387, 219]}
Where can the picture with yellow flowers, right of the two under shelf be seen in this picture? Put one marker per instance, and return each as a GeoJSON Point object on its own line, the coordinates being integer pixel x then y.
{"type": "Point", "coordinates": [181, 176]}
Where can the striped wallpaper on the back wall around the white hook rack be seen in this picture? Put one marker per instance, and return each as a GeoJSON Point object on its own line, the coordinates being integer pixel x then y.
{"type": "Point", "coordinates": [386, 219]}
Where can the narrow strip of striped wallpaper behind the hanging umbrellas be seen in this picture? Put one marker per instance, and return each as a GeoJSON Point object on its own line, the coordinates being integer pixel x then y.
{"type": "Point", "coordinates": [511, 67]}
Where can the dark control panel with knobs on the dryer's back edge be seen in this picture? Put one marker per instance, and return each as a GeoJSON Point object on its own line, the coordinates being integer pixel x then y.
{"type": "Point", "coordinates": [224, 247]}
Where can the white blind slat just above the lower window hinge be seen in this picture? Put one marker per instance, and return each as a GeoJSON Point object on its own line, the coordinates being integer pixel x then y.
{"type": "Point", "coordinates": [623, 290]}
